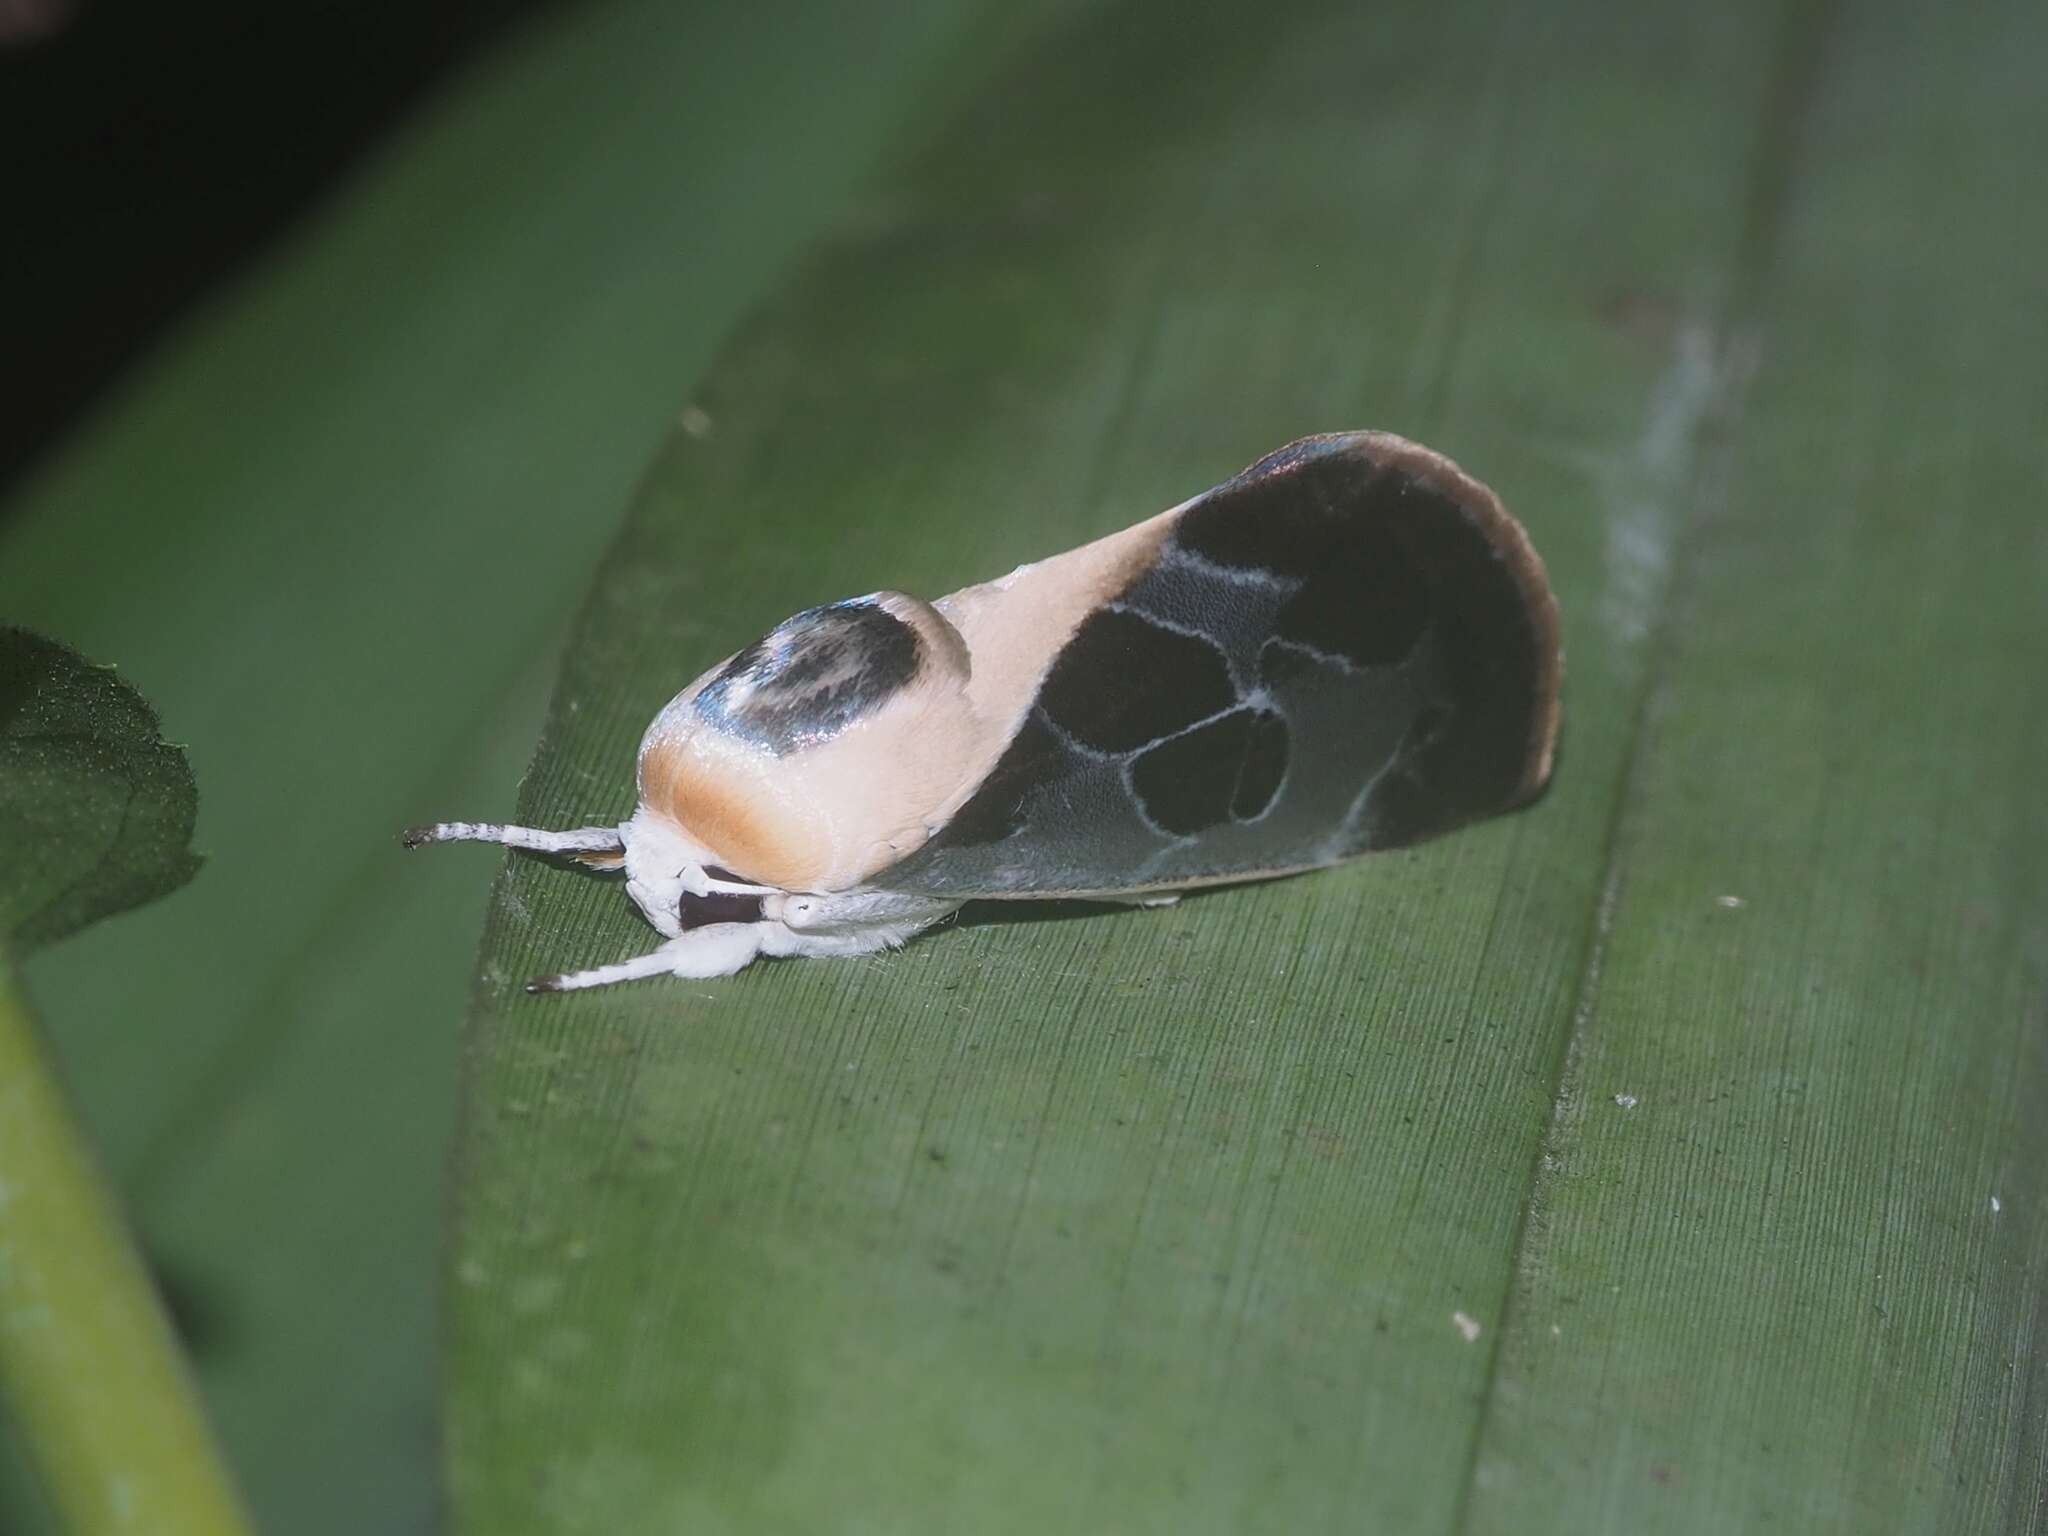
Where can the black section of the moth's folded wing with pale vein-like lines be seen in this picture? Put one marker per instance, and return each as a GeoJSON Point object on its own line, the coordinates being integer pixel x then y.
{"type": "Point", "coordinates": [1351, 646]}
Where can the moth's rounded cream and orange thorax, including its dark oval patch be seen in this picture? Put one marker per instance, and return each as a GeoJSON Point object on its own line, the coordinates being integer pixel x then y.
{"type": "Point", "coordinates": [820, 753]}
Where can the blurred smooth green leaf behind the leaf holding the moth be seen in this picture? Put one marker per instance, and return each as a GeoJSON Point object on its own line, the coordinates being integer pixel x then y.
{"type": "Point", "coordinates": [335, 529]}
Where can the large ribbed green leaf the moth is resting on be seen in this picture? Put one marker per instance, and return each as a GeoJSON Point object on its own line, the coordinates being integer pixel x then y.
{"type": "Point", "coordinates": [1662, 1158]}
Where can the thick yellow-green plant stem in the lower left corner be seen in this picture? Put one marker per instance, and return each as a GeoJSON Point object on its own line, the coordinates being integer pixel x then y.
{"type": "Point", "coordinates": [89, 1365]}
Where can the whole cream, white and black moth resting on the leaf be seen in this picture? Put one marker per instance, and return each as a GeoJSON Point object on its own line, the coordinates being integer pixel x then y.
{"type": "Point", "coordinates": [1347, 648]}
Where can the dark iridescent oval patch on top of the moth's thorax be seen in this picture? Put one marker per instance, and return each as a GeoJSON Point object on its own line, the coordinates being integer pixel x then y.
{"type": "Point", "coordinates": [812, 677]}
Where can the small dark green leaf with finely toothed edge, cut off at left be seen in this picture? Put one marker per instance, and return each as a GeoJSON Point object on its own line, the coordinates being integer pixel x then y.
{"type": "Point", "coordinates": [95, 808]}
